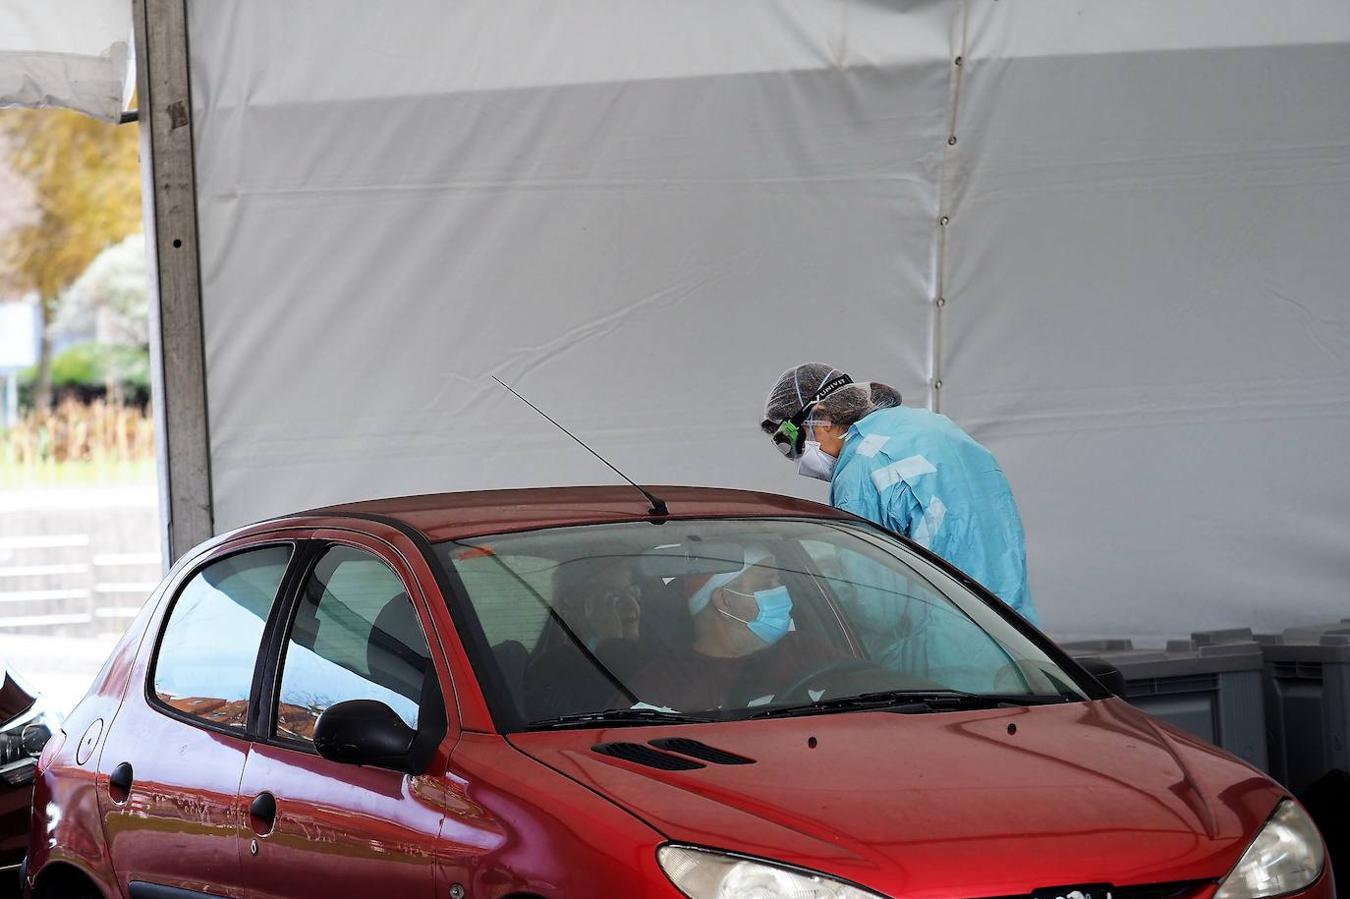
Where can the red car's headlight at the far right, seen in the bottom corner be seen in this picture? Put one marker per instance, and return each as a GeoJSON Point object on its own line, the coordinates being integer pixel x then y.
{"type": "Point", "coordinates": [1286, 856]}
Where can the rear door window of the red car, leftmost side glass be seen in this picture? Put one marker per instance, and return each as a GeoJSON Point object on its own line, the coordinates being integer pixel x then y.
{"type": "Point", "coordinates": [210, 645]}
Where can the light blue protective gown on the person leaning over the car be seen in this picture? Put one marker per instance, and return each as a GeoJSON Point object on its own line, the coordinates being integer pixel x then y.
{"type": "Point", "coordinates": [919, 474]}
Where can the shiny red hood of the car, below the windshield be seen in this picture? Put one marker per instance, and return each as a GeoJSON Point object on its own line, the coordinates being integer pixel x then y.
{"type": "Point", "coordinates": [967, 804]}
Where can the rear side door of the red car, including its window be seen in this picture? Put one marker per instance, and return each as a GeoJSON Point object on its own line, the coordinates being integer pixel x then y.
{"type": "Point", "coordinates": [169, 770]}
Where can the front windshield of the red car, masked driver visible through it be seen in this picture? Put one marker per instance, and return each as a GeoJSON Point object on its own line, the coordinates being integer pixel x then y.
{"type": "Point", "coordinates": [732, 619]}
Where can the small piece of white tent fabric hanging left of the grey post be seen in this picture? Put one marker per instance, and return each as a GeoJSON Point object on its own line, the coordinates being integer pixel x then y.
{"type": "Point", "coordinates": [75, 55]}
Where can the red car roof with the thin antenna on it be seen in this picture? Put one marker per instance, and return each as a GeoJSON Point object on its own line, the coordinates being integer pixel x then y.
{"type": "Point", "coordinates": [449, 516]}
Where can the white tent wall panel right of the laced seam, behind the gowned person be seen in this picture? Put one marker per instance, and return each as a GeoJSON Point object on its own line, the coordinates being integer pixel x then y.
{"type": "Point", "coordinates": [1148, 318]}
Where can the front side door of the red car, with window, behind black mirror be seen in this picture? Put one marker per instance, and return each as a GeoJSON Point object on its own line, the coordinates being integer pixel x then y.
{"type": "Point", "coordinates": [353, 631]}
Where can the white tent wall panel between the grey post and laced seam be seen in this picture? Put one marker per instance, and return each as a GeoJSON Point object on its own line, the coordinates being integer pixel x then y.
{"type": "Point", "coordinates": [638, 214]}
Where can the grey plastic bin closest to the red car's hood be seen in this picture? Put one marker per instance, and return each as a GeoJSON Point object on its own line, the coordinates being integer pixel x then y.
{"type": "Point", "coordinates": [1209, 686]}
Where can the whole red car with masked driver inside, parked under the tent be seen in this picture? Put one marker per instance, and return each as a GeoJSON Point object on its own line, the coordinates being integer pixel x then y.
{"type": "Point", "coordinates": [577, 693]}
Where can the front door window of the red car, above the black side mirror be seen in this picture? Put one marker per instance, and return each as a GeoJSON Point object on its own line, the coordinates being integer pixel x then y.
{"type": "Point", "coordinates": [354, 636]}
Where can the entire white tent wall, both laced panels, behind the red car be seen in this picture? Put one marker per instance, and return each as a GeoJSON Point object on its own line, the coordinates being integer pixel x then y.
{"type": "Point", "coordinates": [641, 214]}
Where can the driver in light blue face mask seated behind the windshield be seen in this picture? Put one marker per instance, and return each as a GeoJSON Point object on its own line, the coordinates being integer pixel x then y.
{"type": "Point", "coordinates": [746, 646]}
